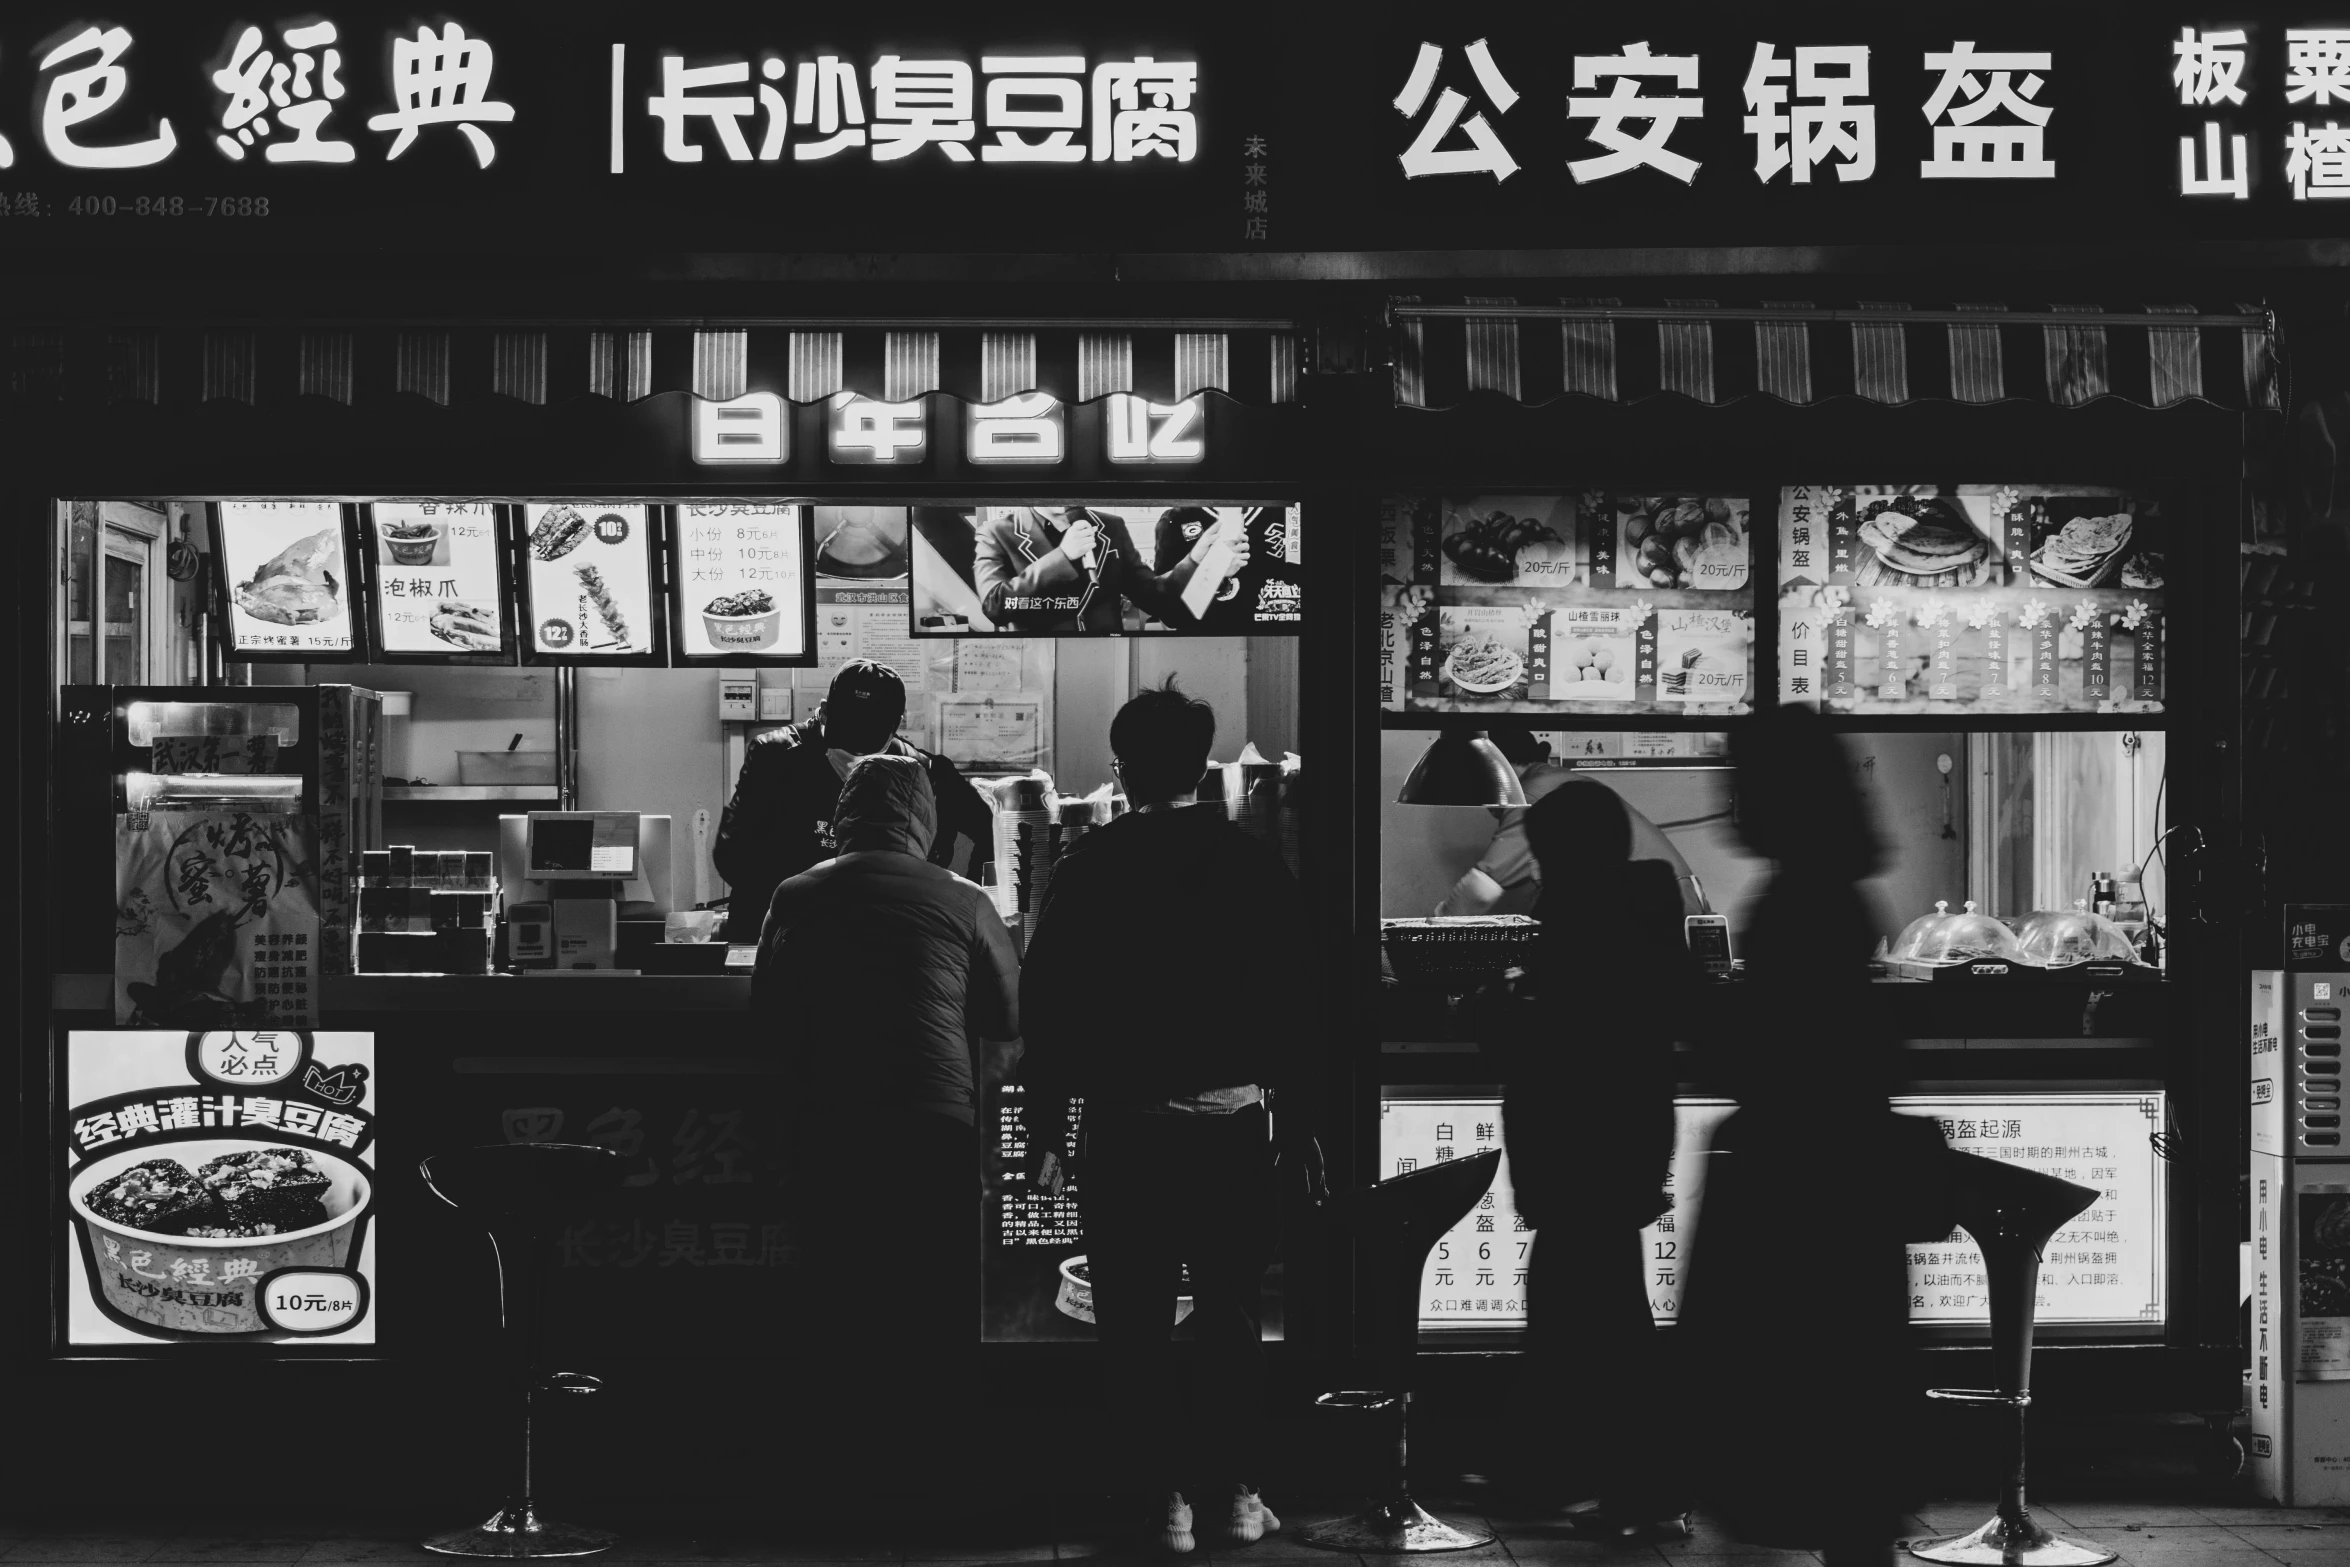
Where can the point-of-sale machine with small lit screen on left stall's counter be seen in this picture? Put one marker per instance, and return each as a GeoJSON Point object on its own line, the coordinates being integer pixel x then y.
{"type": "Point", "coordinates": [577, 880]}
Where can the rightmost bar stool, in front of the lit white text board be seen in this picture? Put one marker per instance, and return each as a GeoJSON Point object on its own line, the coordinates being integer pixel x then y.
{"type": "Point", "coordinates": [2010, 1213]}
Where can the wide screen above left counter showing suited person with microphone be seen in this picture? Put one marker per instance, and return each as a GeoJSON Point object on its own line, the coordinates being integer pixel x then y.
{"type": "Point", "coordinates": [1113, 570]}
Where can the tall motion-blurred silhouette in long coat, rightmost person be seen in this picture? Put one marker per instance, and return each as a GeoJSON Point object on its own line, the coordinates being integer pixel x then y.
{"type": "Point", "coordinates": [1797, 1303]}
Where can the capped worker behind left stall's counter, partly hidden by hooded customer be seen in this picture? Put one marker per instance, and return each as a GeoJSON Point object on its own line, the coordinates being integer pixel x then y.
{"type": "Point", "coordinates": [779, 821]}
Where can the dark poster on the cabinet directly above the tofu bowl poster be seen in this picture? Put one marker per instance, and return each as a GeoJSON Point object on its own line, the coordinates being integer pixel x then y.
{"type": "Point", "coordinates": [217, 920]}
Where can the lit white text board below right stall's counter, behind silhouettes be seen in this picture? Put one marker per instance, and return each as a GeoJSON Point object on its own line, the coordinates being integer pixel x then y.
{"type": "Point", "coordinates": [2107, 1267]}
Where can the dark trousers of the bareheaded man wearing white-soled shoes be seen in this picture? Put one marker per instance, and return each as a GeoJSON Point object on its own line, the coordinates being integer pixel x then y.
{"type": "Point", "coordinates": [1162, 1192]}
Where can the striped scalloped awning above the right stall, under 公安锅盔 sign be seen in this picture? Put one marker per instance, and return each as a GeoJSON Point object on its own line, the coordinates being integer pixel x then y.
{"type": "Point", "coordinates": [1799, 351]}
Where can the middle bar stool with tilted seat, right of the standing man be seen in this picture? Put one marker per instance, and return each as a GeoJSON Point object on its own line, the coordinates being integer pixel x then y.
{"type": "Point", "coordinates": [1397, 1225]}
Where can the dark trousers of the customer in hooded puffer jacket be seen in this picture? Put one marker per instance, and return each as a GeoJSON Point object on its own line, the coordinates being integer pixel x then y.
{"type": "Point", "coordinates": [889, 1282]}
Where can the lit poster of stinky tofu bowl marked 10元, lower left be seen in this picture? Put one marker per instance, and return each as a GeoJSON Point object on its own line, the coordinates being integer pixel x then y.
{"type": "Point", "coordinates": [217, 1188]}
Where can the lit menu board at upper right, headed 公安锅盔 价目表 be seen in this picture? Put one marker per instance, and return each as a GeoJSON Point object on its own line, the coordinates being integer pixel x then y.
{"type": "Point", "coordinates": [1970, 598]}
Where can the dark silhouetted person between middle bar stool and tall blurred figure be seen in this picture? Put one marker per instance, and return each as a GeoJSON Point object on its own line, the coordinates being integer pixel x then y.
{"type": "Point", "coordinates": [1587, 1122]}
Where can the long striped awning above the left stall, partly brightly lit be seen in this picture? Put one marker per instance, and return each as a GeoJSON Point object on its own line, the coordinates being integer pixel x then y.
{"type": "Point", "coordinates": [556, 363]}
